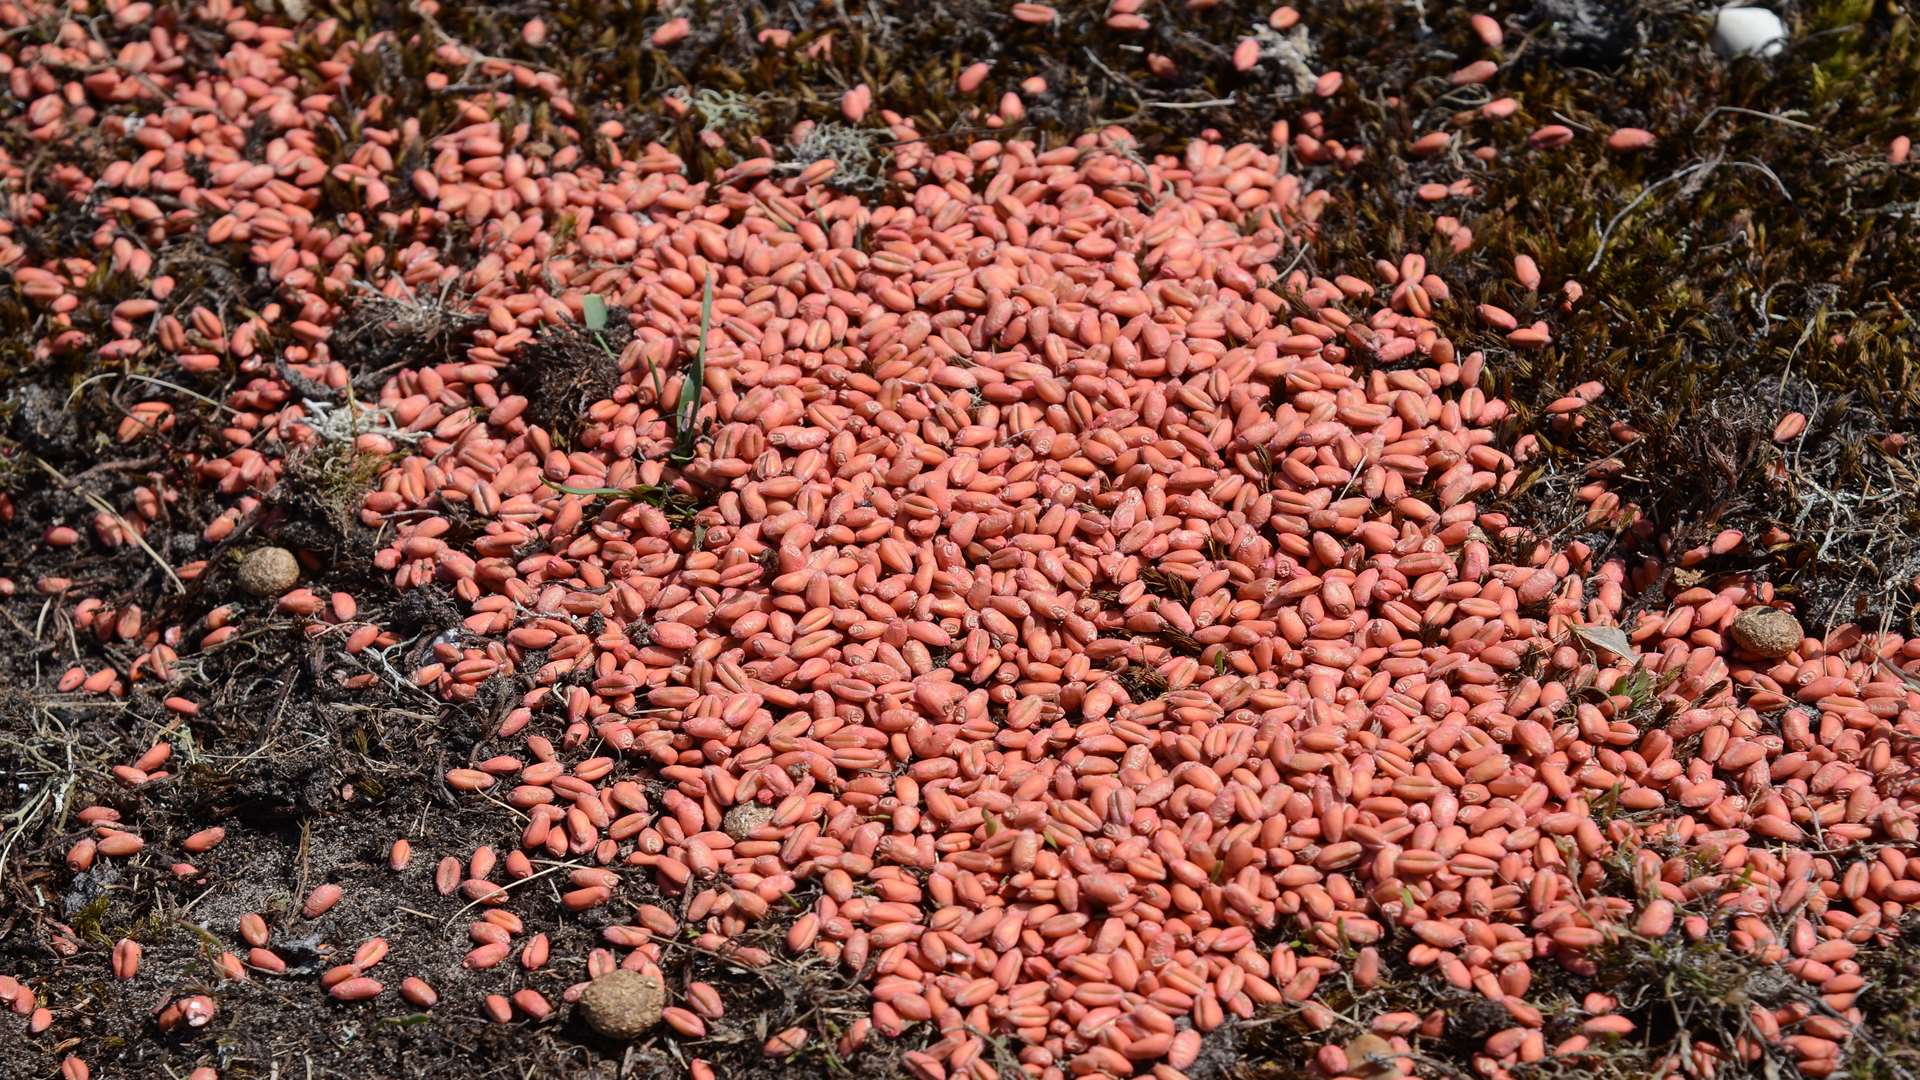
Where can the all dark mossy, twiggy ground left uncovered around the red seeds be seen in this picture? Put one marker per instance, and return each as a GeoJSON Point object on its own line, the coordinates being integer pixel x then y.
{"type": "Point", "coordinates": [1758, 258]}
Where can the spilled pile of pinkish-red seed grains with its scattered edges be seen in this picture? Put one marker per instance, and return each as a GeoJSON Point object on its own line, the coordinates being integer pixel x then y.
{"type": "Point", "coordinates": [1101, 624]}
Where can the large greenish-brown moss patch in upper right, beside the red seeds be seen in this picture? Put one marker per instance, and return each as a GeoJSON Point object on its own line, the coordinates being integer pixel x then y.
{"type": "Point", "coordinates": [1750, 264]}
